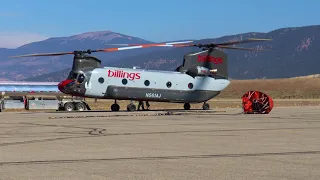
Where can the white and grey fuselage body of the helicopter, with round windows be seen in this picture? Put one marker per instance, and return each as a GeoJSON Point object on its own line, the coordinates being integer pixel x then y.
{"type": "Point", "coordinates": [162, 86]}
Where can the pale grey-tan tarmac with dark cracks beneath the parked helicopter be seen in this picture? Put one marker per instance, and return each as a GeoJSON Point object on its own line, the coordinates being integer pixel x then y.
{"type": "Point", "coordinates": [209, 145]}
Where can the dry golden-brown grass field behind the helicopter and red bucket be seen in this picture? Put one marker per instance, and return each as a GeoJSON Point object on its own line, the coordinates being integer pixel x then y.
{"type": "Point", "coordinates": [303, 91]}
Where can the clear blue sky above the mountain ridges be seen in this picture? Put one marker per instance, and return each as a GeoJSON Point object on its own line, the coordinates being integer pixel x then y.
{"type": "Point", "coordinates": [24, 21]}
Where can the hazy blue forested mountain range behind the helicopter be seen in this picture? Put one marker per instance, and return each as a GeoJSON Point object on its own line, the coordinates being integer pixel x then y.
{"type": "Point", "coordinates": [295, 52]}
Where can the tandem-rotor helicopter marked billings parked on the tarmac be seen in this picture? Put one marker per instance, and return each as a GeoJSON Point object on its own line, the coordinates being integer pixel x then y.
{"type": "Point", "coordinates": [201, 77]}
